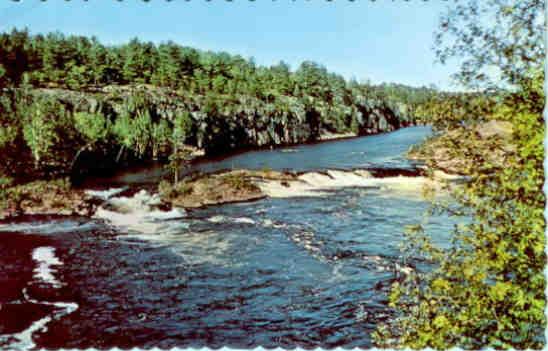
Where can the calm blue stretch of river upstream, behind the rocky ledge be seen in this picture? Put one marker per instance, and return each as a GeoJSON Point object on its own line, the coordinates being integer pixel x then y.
{"type": "Point", "coordinates": [376, 151]}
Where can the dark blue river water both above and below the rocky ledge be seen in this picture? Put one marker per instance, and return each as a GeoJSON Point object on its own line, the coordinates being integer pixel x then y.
{"type": "Point", "coordinates": [301, 271]}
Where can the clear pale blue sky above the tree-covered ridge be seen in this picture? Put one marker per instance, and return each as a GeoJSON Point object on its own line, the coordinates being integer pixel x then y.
{"type": "Point", "coordinates": [384, 41]}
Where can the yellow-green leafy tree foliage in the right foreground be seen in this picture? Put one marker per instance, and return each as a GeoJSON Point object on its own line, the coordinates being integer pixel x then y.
{"type": "Point", "coordinates": [488, 288]}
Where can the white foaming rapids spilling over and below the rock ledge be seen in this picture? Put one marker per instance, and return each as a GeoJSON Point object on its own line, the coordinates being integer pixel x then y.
{"type": "Point", "coordinates": [139, 216]}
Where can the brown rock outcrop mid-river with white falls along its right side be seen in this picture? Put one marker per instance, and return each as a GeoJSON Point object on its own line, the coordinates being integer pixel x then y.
{"type": "Point", "coordinates": [248, 185]}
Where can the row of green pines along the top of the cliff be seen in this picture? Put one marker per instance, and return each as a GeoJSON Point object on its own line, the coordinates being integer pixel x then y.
{"type": "Point", "coordinates": [78, 62]}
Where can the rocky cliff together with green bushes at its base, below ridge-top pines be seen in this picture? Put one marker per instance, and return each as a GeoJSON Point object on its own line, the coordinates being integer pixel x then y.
{"type": "Point", "coordinates": [58, 132]}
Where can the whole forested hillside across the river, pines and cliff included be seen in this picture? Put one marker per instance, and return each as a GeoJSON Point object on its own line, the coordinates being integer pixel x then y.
{"type": "Point", "coordinates": [70, 103]}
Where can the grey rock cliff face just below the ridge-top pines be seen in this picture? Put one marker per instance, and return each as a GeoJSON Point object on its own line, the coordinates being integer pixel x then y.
{"type": "Point", "coordinates": [244, 122]}
